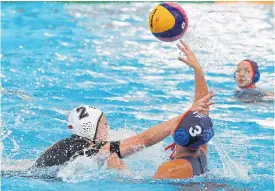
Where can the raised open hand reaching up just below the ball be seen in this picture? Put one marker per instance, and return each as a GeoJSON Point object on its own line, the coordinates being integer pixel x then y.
{"type": "Point", "coordinates": [191, 59]}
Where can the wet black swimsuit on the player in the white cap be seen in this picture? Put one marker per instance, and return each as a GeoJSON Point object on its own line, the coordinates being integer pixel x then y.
{"type": "Point", "coordinates": [66, 149]}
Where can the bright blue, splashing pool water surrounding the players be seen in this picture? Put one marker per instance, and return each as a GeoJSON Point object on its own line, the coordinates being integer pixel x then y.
{"type": "Point", "coordinates": [56, 56]}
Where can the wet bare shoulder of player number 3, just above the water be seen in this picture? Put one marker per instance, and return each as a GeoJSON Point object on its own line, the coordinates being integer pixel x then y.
{"type": "Point", "coordinates": [174, 169]}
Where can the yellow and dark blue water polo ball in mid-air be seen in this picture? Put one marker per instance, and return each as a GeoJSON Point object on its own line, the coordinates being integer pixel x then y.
{"type": "Point", "coordinates": [168, 22]}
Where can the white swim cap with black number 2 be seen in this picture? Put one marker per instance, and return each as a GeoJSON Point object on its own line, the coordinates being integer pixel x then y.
{"type": "Point", "coordinates": [84, 121]}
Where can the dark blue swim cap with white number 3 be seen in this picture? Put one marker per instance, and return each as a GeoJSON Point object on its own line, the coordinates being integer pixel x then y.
{"type": "Point", "coordinates": [194, 130]}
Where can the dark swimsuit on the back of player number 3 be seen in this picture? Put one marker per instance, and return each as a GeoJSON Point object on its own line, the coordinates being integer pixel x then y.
{"type": "Point", "coordinates": [199, 164]}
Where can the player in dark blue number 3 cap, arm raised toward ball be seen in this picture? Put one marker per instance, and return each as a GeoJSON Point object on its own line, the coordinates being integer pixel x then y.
{"type": "Point", "coordinates": [191, 133]}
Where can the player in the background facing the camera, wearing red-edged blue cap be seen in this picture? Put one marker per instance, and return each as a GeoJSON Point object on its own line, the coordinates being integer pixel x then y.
{"type": "Point", "coordinates": [246, 76]}
